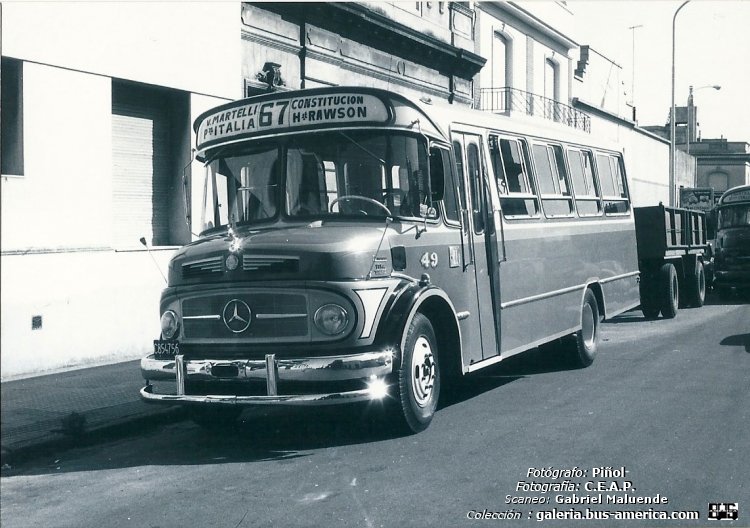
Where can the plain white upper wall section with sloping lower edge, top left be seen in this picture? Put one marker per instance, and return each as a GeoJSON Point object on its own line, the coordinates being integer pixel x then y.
{"type": "Point", "coordinates": [192, 46]}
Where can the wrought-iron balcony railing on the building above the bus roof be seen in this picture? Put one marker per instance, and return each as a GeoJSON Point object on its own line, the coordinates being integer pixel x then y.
{"type": "Point", "coordinates": [514, 100]}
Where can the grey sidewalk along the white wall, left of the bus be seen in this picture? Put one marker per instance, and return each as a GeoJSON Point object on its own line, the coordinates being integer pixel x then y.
{"type": "Point", "coordinates": [38, 413]}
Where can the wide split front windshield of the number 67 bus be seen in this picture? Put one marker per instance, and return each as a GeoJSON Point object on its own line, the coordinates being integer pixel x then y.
{"type": "Point", "coordinates": [350, 174]}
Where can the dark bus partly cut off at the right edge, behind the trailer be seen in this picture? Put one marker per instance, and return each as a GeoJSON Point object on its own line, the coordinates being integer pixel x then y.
{"type": "Point", "coordinates": [732, 245]}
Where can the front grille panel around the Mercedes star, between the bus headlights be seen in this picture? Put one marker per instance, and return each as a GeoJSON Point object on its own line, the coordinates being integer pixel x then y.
{"type": "Point", "coordinates": [272, 315]}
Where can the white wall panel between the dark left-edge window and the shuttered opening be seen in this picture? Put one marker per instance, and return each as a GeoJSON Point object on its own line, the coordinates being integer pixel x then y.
{"type": "Point", "coordinates": [64, 198]}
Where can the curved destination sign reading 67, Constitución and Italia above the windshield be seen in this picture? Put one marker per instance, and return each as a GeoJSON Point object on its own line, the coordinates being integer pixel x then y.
{"type": "Point", "coordinates": [286, 114]}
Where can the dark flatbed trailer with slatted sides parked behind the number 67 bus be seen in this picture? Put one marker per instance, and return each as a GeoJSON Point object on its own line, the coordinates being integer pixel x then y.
{"type": "Point", "coordinates": [672, 252]}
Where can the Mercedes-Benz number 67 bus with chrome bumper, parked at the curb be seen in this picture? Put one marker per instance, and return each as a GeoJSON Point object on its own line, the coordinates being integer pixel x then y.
{"type": "Point", "coordinates": [356, 245]}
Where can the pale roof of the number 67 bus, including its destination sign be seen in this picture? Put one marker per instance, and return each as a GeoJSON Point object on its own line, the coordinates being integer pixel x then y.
{"type": "Point", "coordinates": [348, 107]}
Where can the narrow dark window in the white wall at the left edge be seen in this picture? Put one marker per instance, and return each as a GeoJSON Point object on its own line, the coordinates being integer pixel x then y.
{"type": "Point", "coordinates": [11, 127]}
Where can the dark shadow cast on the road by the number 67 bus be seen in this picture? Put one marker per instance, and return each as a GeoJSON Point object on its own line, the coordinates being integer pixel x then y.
{"type": "Point", "coordinates": [269, 434]}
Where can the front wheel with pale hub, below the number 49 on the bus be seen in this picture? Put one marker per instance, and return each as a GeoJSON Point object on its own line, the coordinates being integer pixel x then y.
{"type": "Point", "coordinates": [419, 375]}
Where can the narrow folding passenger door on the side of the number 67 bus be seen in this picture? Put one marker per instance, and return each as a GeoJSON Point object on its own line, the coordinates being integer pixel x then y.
{"type": "Point", "coordinates": [481, 324]}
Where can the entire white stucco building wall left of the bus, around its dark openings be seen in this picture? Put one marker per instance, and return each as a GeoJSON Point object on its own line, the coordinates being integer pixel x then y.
{"type": "Point", "coordinates": [96, 304]}
